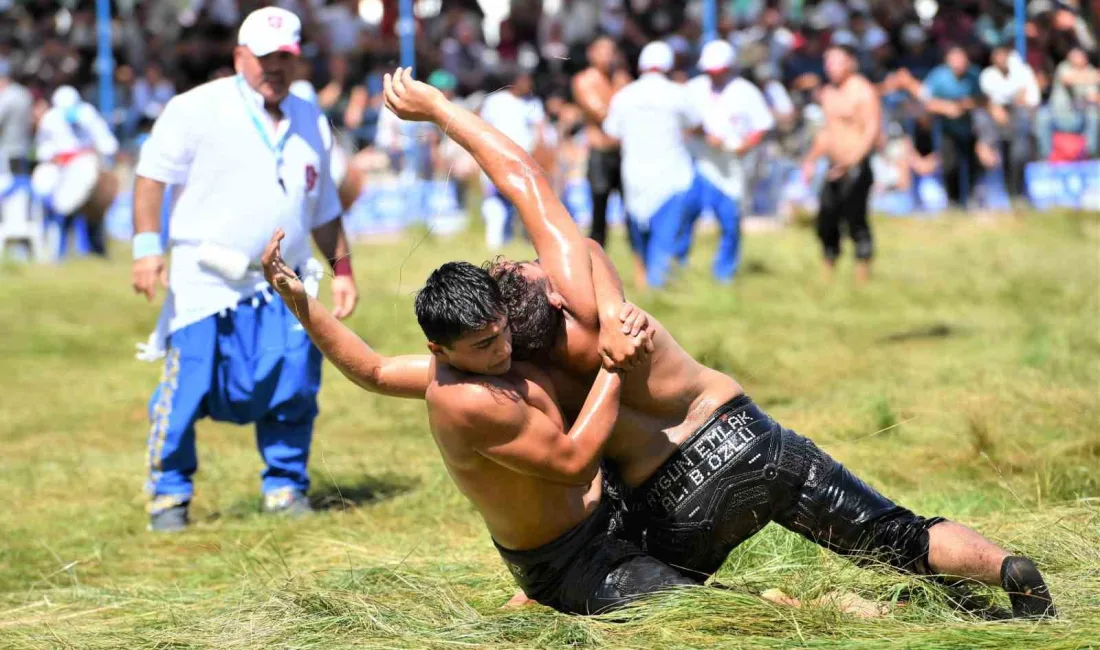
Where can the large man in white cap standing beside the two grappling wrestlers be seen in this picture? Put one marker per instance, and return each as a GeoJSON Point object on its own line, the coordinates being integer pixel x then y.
{"type": "Point", "coordinates": [246, 158]}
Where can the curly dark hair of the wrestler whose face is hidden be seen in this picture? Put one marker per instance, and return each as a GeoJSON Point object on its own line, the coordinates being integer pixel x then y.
{"type": "Point", "coordinates": [534, 322]}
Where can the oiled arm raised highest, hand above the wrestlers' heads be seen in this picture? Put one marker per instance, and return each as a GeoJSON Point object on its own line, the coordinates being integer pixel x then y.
{"type": "Point", "coordinates": [557, 240]}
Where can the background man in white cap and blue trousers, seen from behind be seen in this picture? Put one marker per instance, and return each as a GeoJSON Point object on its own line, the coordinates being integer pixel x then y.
{"type": "Point", "coordinates": [650, 118]}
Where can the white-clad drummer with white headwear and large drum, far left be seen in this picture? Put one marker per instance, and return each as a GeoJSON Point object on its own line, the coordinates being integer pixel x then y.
{"type": "Point", "coordinates": [71, 144]}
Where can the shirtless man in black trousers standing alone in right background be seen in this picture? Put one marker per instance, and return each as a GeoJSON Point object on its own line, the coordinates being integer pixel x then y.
{"type": "Point", "coordinates": [853, 123]}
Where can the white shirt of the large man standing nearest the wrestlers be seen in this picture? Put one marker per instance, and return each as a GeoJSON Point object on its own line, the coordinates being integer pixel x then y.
{"type": "Point", "coordinates": [208, 142]}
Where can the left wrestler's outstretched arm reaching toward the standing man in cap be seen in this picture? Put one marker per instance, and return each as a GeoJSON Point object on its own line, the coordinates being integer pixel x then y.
{"type": "Point", "coordinates": [397, 377]}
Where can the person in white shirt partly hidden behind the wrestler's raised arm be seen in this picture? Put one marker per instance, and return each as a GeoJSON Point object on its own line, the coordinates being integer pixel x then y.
{"type": "Point", "coordinates": [520, 116]}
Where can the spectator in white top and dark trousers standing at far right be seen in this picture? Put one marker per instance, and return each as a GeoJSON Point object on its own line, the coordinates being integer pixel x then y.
{"type": "Point", "coordinates": [1013, 94]}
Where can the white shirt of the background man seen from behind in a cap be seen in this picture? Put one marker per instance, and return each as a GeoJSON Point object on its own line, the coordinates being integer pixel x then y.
{"type": "Point", "coordinates": [650, 117]}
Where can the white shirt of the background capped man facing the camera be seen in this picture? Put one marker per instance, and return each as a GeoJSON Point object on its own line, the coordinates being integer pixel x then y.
{"type": "Point", "coordinates": [733, 114]}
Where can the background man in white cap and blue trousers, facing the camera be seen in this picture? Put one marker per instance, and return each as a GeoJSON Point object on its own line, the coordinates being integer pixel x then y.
{"type": "Point", "coordinates": [735, 120]}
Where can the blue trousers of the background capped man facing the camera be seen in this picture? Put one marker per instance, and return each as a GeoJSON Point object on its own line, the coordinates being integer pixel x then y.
{"type": "Point", "coordinates": [703, 195]}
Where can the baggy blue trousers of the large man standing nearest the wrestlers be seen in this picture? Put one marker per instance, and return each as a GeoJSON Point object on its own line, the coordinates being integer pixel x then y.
{"type": "Point", "coordinates": [252, 365]}
